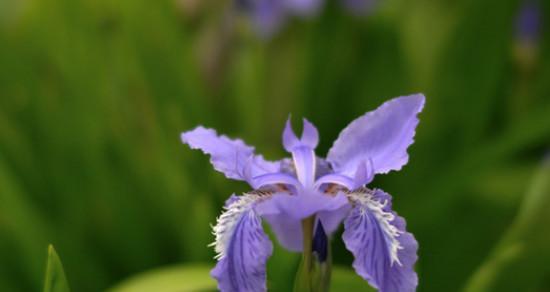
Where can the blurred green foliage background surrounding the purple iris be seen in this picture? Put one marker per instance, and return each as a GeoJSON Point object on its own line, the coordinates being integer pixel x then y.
{"type": "Point", "coordinates": [94, 95]}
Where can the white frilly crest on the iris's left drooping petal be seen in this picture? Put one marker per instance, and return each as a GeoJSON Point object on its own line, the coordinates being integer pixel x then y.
{"type": "Point", "coordinates": [227, 221]}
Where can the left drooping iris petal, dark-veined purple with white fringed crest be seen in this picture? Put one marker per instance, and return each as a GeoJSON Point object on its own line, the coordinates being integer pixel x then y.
{"type": "Point", "coordinates": [242, 246]}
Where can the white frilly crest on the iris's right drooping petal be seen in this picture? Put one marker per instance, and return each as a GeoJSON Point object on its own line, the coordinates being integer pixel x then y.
{"type": "Point", "coordinates": [365, 200]}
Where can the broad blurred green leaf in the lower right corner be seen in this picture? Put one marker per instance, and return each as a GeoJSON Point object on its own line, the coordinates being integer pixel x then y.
{"type": "Point", "coordinates": [519, 261]}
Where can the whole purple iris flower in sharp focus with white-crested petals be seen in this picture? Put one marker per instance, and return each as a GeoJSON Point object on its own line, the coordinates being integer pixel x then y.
{"type": "Point", "coordinates": [332, 190]}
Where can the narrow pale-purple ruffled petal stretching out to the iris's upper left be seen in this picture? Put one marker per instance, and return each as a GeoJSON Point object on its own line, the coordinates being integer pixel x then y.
{"type": "Point", "coordinates": [233, 158]}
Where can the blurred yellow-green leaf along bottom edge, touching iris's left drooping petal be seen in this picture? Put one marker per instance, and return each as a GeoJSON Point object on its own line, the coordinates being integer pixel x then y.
{"type": "Point", "coordinates": [170, 279]}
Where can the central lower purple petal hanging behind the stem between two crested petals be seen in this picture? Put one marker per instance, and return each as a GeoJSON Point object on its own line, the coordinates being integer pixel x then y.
{"type": "Point", "coordinates": [285, 212]}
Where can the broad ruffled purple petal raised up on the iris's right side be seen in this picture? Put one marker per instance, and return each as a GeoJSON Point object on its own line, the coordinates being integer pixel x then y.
{"type": "Point", "coordinates": [382, 136]}
